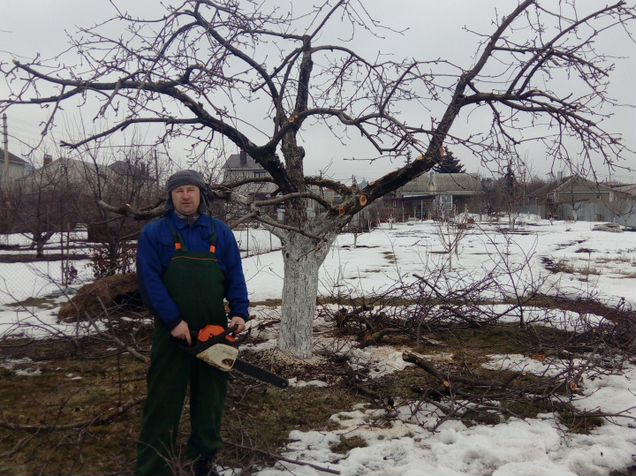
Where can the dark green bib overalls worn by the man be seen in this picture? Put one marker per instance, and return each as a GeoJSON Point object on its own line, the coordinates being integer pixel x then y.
{"type": "Point", "coordinates": [196, 284]}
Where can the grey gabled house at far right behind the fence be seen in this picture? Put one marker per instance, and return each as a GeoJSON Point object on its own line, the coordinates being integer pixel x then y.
{"type": "Point", "coordinates": [577, 198]}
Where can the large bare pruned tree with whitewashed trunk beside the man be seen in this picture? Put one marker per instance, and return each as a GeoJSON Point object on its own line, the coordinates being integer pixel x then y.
{"type": "Point", "coordinates": [196, 68]}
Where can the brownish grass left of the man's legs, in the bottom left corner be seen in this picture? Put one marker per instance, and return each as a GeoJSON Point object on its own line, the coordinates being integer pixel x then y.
{"type": "Point", "coordinates": [56, 397]}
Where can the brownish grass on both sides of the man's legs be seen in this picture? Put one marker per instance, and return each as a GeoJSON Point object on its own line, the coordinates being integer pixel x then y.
{"type": "Point", "coordinates": [255, 413]}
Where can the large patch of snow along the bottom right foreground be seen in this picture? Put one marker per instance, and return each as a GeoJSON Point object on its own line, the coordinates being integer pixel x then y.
{"type": "Point", "coordinates": [405, 447]}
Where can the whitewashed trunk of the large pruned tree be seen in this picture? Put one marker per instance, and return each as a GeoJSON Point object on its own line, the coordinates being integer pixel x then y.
{"type": "Point", "coordinates": [302, 260]}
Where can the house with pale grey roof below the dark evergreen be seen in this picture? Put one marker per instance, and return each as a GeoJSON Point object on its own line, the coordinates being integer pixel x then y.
{"type": "Point", "coordinates": [435, 193]}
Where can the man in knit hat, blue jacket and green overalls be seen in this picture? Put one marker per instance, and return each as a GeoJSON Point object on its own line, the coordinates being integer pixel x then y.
{"type": "Point", "coordinates": [187, 264]}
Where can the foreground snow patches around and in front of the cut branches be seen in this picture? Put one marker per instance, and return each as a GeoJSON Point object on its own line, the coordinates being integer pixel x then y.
{"type": "Point", "coordinates": [409, 442]}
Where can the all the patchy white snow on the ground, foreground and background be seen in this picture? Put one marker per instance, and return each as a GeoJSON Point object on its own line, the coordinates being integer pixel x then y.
{"type": "Point", "coordinates": [592, 263]}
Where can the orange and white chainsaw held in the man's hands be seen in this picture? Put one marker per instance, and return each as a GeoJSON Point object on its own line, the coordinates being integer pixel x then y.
{"type": "Point", "coordinates": [218, 347]}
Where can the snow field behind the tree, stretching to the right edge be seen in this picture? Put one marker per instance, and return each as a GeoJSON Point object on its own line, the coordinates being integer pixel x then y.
{"type": "Point", "coordinates": [401, 250]}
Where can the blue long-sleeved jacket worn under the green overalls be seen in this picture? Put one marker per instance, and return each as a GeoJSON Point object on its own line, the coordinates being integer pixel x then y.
{"type": "Point", "coordinates": [154, 252]}
